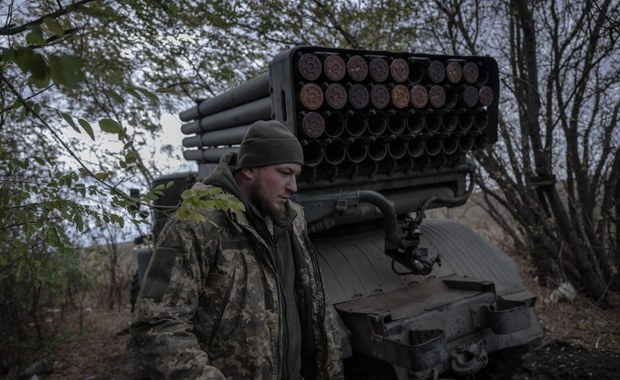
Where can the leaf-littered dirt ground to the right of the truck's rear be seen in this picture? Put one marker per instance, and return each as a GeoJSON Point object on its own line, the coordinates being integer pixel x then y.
{"type": "Point", "coordinates": [582, 341]}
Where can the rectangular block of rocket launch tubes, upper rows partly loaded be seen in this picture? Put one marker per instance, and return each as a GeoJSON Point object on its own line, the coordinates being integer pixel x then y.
{"type": "Point", "coordinates": [358, 112]}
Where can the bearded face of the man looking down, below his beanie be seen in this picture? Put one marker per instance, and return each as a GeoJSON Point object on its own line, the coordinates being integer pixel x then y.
{"type": "Point", "coordinates": [272, 186]}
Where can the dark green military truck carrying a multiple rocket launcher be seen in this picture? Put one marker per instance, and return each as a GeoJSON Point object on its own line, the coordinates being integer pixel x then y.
{"type": "Point", "coordinates": [386, 137]}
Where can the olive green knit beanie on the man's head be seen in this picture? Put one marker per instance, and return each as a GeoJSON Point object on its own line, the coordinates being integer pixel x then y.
{"type": "Point", "coordinates": [269, 143]}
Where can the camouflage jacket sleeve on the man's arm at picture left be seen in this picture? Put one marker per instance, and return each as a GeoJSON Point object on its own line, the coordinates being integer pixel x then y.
{"type": "Point", "coordinates": [162, 320]}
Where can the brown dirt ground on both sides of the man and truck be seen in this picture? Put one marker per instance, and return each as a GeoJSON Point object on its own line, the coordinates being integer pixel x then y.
{"type": "Point", "coordinates": [581, 341]}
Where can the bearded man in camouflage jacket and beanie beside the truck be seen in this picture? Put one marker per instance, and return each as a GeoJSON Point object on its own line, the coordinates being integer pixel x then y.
{"type": "Point", "coordinates": [240, 295]}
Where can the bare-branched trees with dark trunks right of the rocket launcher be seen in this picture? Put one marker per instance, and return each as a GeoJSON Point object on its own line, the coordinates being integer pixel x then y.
{"type": "Point", "coordinates": [555, 169]}
